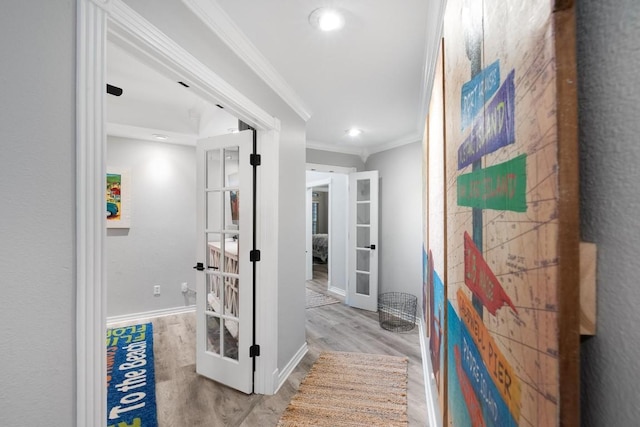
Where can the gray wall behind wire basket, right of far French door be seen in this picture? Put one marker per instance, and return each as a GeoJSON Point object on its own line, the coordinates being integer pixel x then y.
{"type": "Point", "coordinates": [400, 222]}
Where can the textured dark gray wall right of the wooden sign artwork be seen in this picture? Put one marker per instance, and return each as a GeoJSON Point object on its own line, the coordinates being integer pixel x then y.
{"type": "Point", "coordinates": [609, 89]}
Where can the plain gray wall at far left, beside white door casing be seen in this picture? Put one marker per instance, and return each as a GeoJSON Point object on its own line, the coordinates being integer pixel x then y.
{"type": "Point", "coordinates": [37, 229]}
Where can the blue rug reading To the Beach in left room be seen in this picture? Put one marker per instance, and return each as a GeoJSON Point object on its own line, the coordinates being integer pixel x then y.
{"type": "Point", "coordinates": [131, 390]}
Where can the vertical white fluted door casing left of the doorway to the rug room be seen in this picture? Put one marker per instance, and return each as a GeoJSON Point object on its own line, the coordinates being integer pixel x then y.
{"type": "Point", "coordinates": [91, 397]}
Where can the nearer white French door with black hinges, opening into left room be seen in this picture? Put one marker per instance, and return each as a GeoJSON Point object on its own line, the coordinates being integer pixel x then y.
{"type": "Point", "coordinates": [224, 303]}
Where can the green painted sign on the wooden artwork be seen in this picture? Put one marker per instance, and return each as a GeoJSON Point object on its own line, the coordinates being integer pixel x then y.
{"type": "Point", "coordinates": [500, 187]}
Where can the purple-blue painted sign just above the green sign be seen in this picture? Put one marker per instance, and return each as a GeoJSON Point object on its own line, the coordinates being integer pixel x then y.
{"type": "Point", "coordinates": [493, 129]}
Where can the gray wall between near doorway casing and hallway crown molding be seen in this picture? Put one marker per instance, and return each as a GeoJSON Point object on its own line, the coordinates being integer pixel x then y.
{"type": "Point", "coordinates": [174, 19]}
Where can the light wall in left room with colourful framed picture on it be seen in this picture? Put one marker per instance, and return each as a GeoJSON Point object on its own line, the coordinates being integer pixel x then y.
{"type": "Point", "coordinates": [160, 246]}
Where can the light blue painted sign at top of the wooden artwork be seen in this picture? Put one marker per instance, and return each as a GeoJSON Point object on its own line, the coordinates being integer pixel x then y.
{"type": "Point", "coordinates": [477, 91]}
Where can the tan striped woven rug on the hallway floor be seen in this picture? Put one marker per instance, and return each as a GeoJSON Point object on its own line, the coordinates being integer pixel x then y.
{"type": "Point", "coordinates": [351, 389]}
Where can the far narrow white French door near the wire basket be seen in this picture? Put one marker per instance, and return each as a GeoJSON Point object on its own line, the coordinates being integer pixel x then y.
{"type": "Point", "coordinates": [363, 240]}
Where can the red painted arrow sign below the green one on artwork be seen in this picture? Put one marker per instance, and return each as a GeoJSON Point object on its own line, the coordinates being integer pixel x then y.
{"type": "Point", "coordinates": [481, 280]}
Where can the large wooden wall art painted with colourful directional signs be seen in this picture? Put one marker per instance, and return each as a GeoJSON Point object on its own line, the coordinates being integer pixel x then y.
{"type": "Point", "coordinates": [510, 249]}
